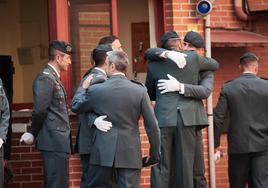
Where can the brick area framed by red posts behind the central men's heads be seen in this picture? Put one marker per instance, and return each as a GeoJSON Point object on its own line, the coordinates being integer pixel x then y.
{"type": "Point", "coordinates": [88, 24]}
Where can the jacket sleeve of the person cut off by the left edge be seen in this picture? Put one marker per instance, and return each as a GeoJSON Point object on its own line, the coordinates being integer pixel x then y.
{"type": "Point", "coordinates": [4, 113]}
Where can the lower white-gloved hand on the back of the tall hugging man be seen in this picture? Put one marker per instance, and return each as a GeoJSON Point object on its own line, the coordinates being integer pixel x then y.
{"type": "Point", "coordinates": [170, 85]}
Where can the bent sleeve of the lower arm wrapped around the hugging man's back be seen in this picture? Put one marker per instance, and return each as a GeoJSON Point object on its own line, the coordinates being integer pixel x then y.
{"type": "Point", "coordinates": [203, 90]}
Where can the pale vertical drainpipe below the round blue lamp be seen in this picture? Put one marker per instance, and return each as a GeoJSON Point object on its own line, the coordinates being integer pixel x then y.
{"type": "Point", "coordinates": [210, 111]}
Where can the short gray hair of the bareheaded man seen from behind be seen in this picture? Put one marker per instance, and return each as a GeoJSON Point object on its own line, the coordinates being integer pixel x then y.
{"type": "Point", "coordinates": [119, 59]}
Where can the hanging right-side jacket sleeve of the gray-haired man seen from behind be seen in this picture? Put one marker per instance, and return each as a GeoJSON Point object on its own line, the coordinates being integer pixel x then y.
{"type": "Point", "coordinates": [151, 126]}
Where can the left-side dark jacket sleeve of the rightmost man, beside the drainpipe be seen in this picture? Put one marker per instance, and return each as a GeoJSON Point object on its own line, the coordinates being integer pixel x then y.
{"type": "Point", "coordinates": [220, 114]}
